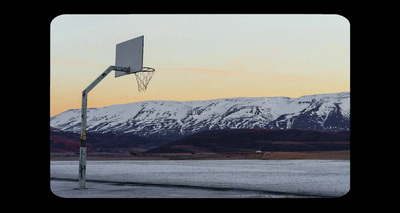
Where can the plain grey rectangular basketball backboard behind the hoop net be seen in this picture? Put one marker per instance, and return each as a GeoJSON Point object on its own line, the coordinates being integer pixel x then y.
{"type": "Point", "coordinates": [130, 54]}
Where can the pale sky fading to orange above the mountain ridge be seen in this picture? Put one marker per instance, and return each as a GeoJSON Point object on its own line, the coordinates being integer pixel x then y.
{"type": "Point", "coordinates": [199, 57]}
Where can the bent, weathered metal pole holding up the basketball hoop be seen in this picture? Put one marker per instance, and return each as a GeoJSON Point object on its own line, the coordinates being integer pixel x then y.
{"type": "Point", "coordinates": [82, 149]}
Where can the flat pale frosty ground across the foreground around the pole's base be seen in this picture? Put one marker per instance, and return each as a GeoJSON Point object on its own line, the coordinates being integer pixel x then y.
{"type": "Point", "coordinates": [203, 178]}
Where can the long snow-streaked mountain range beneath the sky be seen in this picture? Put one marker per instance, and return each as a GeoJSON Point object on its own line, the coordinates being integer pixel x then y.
{"type": "Point", "coordinates": [180, 118]}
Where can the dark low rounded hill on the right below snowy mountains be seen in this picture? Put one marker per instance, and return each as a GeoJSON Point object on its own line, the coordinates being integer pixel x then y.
{"type": "Point", "coordinates": [244, 140]}
